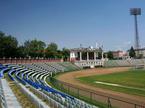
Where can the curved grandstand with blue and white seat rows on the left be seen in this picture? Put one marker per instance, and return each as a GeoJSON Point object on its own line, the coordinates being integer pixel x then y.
{"type": "Point", "coordinates": [35, 76]}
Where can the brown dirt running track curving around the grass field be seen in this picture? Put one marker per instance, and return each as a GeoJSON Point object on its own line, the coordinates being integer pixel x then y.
{"type": "Point", "coordinates": [71, 78]}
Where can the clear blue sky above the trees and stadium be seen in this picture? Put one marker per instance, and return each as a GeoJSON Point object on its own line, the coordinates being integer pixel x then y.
{"type": "Point", "coordinates": [70, 23]}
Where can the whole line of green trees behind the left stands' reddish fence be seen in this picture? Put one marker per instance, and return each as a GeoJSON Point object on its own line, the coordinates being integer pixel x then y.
{"type": "Point", "coordinates": [9, 47]}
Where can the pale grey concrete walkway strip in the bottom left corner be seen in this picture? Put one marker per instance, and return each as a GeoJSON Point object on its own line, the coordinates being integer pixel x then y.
{"type": "Point", "coordinates": [10, 98]}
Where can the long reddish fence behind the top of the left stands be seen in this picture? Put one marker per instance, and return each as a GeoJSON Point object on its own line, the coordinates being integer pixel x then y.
{"type": "Point", "coordinates": [26, 60]}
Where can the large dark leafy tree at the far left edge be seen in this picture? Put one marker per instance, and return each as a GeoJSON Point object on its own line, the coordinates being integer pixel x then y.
{"type": "Point", "coordinates": [8, 45]}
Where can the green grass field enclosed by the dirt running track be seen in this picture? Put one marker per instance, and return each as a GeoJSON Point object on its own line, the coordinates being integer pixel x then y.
{"type": "Point", "coordinates": [132, 81]}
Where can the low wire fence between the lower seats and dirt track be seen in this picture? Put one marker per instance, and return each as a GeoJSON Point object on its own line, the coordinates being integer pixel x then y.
{"type": "Point", "coordinates": [96, 98]}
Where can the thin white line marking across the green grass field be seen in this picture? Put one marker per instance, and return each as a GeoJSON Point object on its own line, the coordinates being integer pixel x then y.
{"type": "Point", "coordinates": [118, 85]}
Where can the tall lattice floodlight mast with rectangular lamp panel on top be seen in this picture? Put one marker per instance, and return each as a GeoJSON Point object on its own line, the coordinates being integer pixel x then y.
{"type": "Point", "coordinates": [135, 12]}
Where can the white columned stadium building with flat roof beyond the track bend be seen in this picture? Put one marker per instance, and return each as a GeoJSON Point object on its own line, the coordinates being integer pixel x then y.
{"type": "Point", "coordinates": [86, 57]}
